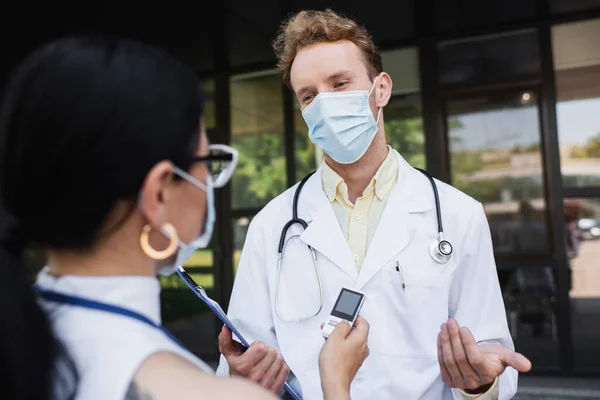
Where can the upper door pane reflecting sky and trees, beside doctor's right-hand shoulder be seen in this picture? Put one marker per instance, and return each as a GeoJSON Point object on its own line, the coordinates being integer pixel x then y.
{"type": "Point", "coordinates": [494, 144]}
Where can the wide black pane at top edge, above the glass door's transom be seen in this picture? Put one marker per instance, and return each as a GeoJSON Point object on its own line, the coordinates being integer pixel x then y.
{"type": "Point", "coordinates": [464, 14]}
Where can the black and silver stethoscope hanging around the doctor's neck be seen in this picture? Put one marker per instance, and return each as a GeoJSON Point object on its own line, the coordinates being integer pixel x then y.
{"type": "Point", "coordinates": [440, 249]}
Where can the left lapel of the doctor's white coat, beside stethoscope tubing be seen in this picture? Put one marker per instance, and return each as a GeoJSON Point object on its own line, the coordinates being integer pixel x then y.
{"type": "Point", "coordinates": [324, 233]}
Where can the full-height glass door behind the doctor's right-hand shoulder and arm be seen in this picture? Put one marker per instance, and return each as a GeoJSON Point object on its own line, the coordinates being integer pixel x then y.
{"type": "Point", "coordinates": [495, 155]}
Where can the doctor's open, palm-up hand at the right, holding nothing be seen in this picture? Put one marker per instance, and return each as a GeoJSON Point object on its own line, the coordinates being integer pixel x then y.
{"type": "Point", "coordinates": [471, 367]}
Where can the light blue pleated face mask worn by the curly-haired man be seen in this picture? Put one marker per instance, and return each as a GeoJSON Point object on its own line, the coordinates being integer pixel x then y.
{"type": "Point", "coordinates": [342, 124]}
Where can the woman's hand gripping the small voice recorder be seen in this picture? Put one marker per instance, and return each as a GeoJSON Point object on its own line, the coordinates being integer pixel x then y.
{"type": "Point", "coordinates": [341, 356]}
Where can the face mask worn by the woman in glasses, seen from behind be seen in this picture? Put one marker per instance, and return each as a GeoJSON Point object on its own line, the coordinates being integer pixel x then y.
{"type": "Point", "coordinates": [201, 242]}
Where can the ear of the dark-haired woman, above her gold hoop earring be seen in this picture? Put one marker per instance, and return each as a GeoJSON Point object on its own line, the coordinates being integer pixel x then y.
{"type": "Point", "coordinates": [156, 192]}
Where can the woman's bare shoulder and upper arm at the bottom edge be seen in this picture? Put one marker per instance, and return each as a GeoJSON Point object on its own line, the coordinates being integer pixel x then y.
{"type": "Point", "coordinates": [168, 376]}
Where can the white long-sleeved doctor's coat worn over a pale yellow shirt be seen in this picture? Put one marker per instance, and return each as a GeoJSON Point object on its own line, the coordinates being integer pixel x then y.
{"type": "Point", "coordinates": [404, 324]}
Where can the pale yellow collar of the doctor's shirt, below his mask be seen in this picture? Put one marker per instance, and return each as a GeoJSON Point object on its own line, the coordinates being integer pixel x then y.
{"type": "Point", "coordinates": [382, 182]}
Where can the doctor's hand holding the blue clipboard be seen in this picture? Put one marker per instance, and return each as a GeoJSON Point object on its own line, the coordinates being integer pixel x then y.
{"type": "Point", "coordinates": [260, 363]}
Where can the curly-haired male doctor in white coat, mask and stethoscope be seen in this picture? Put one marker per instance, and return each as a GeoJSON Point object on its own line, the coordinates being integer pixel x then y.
{"type": "Point", "coordinates": [438, 326]}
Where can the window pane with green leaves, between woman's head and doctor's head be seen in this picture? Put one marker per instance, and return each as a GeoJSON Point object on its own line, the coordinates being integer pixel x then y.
{"type": "Point", "coordinates": [257, 133]}
